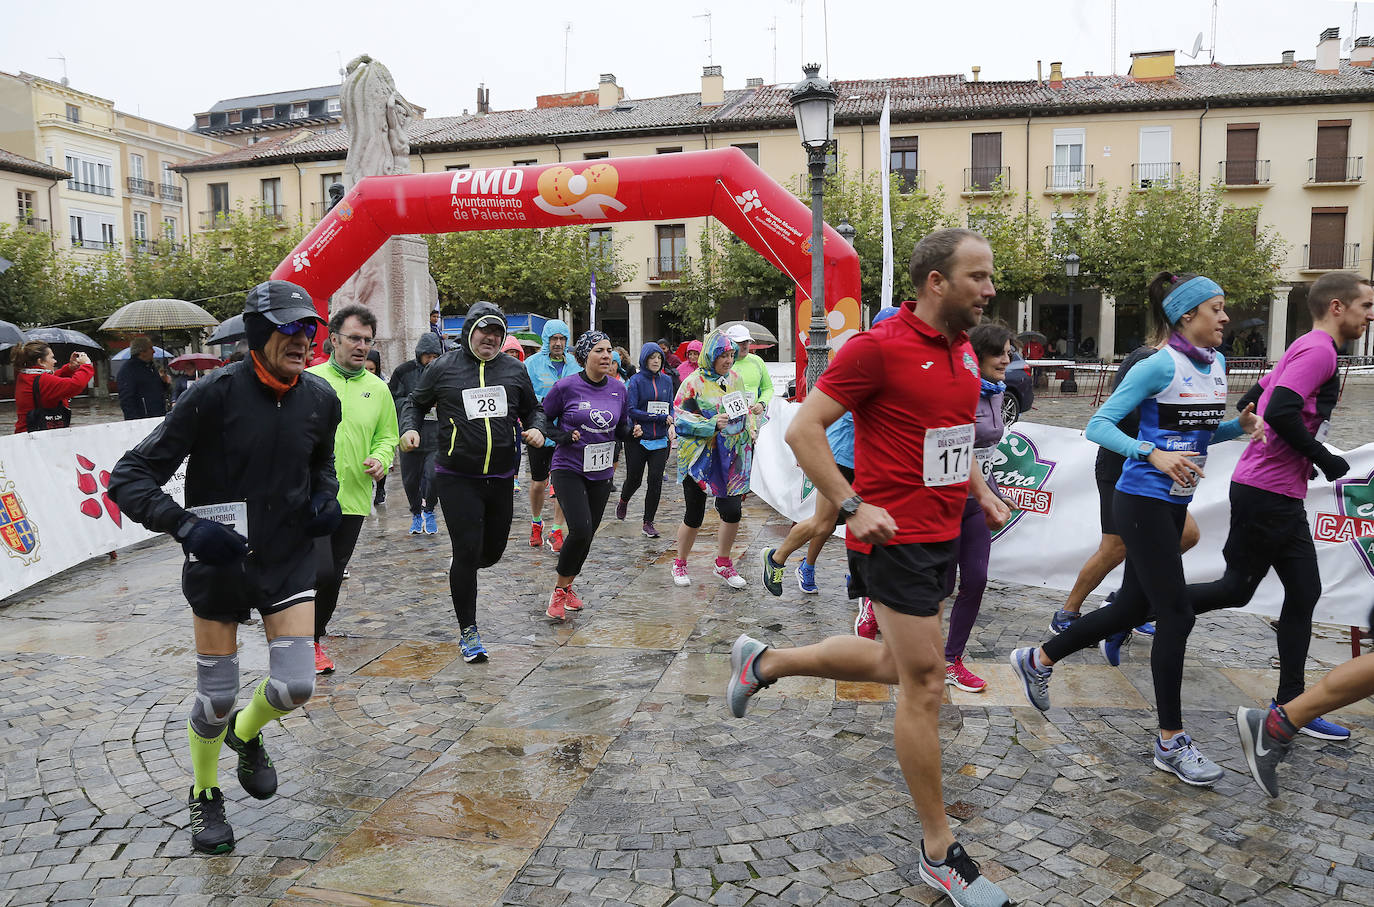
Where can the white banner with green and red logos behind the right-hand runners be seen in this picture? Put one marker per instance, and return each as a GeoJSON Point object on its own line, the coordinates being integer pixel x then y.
{"type": "Point", "coordinates": [1048, 475]}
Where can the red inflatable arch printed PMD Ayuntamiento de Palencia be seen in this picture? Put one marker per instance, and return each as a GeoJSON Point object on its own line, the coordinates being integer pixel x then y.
{"type": "Point", "coordinates": [722, 183]}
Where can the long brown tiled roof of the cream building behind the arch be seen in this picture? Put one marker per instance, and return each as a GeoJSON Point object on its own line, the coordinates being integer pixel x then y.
{"type": "Point", "coordinates": [861, 101]}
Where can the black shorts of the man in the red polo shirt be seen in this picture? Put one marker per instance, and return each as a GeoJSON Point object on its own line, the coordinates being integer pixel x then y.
{"type": "Point", "coordinates": [909, 579]}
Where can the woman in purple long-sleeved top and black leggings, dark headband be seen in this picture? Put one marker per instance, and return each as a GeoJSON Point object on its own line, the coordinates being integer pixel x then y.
{"type": "Point", "coordinates": [589, 413]}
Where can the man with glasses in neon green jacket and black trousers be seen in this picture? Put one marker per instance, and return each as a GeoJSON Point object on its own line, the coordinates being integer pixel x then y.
{"type": "Point", "coordinates": [363, 447]}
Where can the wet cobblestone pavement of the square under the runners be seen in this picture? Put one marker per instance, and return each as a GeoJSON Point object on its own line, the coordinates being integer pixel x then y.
{"type": "Point", "coordinates": [596, 763]}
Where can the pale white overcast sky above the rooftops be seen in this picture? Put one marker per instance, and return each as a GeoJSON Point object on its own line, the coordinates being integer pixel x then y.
{"type": "Point", "coordinates": [168, 61]}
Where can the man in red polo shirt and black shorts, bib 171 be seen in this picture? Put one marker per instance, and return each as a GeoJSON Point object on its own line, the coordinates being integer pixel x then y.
{"type": "Point", "coordinates": [913, 387]}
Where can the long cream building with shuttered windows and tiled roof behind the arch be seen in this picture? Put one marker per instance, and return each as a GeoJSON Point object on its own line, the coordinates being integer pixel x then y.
{"type": "Point", "coordinates": [1291, 137]}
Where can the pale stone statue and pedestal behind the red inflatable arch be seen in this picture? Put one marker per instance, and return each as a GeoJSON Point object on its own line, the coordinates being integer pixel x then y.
{"type": "Point", "coordinates": [395, 282]}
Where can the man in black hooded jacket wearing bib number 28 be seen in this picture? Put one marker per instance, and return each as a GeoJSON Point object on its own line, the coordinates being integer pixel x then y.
{"type": "Point", "coordinates": [483, 398]}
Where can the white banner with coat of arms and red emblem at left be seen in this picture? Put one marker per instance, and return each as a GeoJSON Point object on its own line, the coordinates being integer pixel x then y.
{"type": "Point", "coordinates": [54, 506]}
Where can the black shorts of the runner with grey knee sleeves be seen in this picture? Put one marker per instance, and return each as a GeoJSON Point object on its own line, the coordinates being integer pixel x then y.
{"type": "Point", "coordinates": [232, 594]}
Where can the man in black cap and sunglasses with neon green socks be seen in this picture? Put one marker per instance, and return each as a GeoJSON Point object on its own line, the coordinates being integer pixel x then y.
{"type": "Point", "coordinates": [260, 487]}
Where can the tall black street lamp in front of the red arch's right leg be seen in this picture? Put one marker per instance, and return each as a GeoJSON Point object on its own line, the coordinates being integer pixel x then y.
{"type": "Point", "coordinates": [814, 104]}
